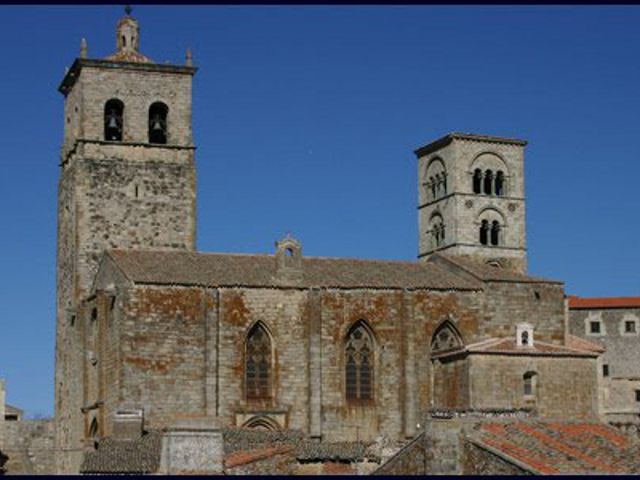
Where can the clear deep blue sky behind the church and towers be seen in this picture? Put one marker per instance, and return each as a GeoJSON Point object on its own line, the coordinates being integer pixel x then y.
{"type": "Point", "coordinates": [305, 120]}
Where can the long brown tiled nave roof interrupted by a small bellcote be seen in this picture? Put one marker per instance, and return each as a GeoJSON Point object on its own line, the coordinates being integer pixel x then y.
{"type": "Point", "coordinates": [223, 269]}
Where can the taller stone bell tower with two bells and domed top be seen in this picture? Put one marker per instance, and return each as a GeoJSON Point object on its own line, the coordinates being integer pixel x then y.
{"type": "Point", "coordinates": [127, 181]}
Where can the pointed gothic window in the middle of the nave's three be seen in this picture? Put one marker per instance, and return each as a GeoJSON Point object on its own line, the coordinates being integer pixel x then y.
{"type": "Point", "coordinates": [359, 350]}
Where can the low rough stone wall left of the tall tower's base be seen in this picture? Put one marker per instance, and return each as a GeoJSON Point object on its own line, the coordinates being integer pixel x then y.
{"type": "Point", "coordinates": [29, 445]}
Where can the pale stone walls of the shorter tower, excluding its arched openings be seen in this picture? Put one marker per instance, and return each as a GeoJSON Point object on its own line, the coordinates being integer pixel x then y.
{"type": "Point", "coordinates": [462, 210]}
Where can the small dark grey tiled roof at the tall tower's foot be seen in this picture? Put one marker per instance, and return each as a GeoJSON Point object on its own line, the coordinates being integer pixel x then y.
{"type": "Point", "coordinates": [125, 456]}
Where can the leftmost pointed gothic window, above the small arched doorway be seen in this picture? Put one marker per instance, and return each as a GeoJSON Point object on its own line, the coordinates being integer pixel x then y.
{"type": "Point", "coordinates": [258, 363]}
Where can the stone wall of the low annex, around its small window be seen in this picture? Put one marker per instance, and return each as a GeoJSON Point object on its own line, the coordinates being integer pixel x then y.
{"type": "Point", "coordinates": [566, 386]}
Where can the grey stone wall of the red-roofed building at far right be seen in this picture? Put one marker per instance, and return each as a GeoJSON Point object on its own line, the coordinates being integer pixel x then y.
{"type": "Point", "coordinates": [621, 355]}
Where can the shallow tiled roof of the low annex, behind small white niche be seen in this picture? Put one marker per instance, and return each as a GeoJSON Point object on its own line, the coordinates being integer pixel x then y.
{"type": "Point", "coordinates": [508, 346]}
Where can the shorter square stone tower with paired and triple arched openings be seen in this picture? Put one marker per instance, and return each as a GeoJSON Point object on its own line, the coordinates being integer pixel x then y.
{"type": "Point", "coordinates": [471, 199]}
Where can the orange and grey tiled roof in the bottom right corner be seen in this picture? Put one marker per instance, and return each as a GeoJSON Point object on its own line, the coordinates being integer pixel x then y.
{"type": "Point", "coordinates": [547, 447]}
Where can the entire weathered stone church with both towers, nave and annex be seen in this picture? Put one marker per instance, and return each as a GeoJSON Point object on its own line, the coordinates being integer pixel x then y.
{"type": "Point", "coordinates": [337, 348]}
